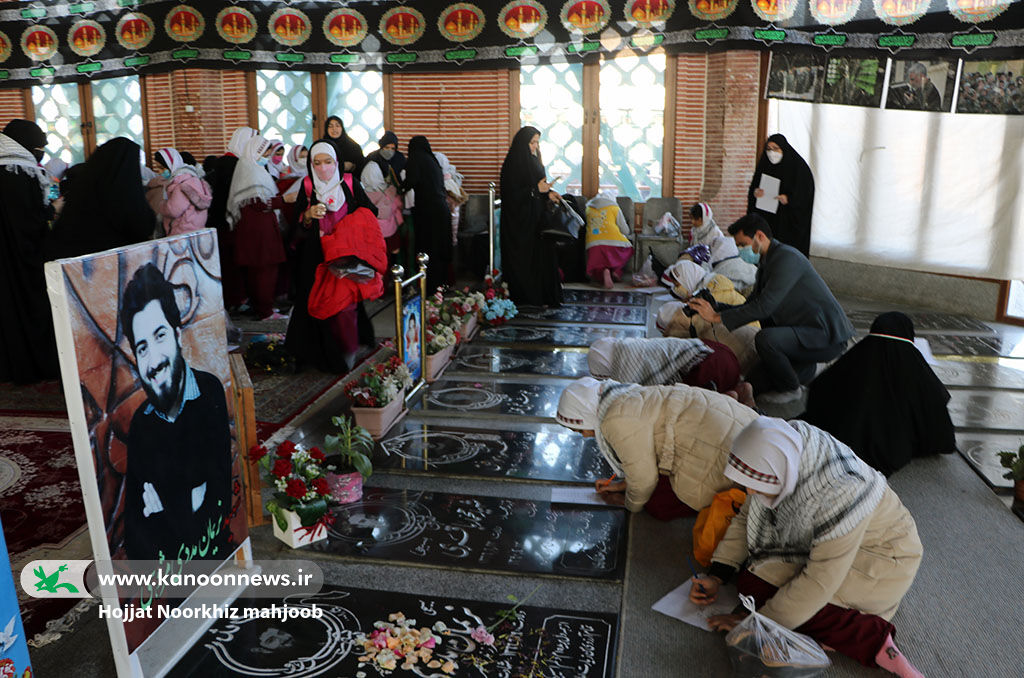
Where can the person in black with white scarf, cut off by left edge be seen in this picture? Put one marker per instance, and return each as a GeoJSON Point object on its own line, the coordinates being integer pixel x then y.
{"type": "Point", "coordinates": [28, 352]}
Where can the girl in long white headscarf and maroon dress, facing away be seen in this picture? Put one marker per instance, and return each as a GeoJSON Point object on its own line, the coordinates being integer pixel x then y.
{"type": "Point", "coordinates": [259, 247]}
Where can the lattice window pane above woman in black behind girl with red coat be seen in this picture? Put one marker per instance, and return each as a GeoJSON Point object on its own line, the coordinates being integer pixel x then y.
{"type": "Point", "coordinates": [359, 100]}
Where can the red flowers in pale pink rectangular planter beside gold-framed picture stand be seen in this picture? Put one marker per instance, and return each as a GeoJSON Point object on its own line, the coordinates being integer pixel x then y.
{"type": "Point", "coordinates": [378, 396]}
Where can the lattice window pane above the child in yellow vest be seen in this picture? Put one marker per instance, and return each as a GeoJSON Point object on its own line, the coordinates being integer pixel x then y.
{"type": "Point", "coordinates": [632, 101]}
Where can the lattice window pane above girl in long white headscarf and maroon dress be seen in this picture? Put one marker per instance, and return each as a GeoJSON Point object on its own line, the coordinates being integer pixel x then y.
{"type": "Point", "coordinates": [285, 101]}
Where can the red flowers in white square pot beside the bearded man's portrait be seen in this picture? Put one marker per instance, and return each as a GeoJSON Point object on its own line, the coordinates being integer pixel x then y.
{"type": "Point", "coordinates": [303, 496]}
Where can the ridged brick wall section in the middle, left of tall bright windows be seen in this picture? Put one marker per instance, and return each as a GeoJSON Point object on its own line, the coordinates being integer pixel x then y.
{"type": "Point", "coordinates": [464, 115]}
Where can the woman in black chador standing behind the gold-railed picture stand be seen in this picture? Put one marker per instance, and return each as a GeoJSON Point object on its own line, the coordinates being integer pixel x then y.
{"type": "Point", "coordinates": [432, 219]}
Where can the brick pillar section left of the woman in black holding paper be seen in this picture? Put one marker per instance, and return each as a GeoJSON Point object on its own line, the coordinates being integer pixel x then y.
{"type": "Point", "coordinates": [716, 131]}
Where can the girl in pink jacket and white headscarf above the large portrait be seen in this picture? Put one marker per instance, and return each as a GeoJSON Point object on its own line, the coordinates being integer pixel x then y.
{"type": "Point", "coordinates": [183, 198]}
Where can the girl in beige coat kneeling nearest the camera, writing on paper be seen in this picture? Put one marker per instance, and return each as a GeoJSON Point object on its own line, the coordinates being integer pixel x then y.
{"type": "Point", "coordinates": [829, 549]}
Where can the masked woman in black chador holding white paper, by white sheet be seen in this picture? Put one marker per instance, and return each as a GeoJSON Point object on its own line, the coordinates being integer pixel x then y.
{"type": "Point", "coordinates": [783, 192]}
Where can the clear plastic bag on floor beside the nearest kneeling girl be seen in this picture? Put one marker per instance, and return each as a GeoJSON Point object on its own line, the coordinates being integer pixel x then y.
{"type": "Point", "coordinates": [760, 648]}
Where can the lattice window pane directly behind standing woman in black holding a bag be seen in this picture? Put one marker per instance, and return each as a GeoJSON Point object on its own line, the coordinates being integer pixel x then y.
{"type": "Point", "coordinates": [551, 101]}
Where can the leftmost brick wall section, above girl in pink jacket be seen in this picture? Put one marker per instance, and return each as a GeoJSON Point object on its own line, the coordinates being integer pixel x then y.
{"type": "Point", "coordinates": [219, 101]}
